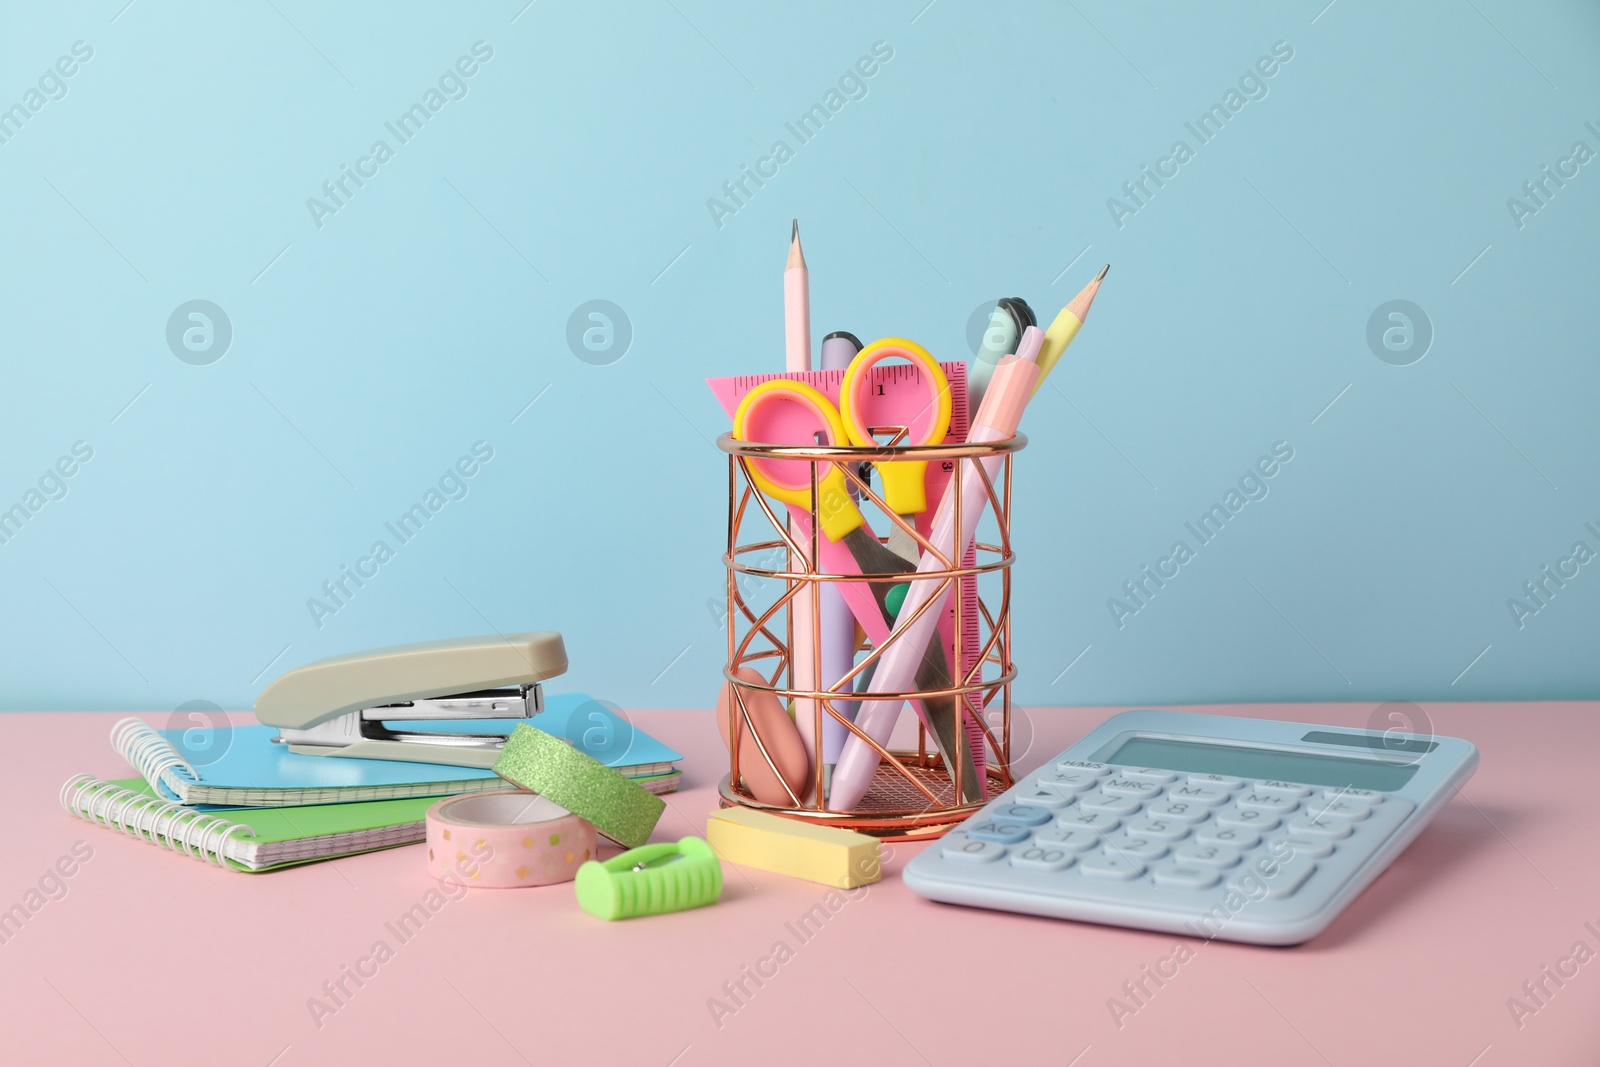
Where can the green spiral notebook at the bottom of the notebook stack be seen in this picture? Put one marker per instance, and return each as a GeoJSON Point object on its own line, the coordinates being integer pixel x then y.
{"type": "Point", "coordinates": [247, 839]}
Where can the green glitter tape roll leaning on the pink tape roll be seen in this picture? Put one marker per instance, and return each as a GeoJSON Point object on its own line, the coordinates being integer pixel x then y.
{"type": "Point", "coordinates": [553, 769]}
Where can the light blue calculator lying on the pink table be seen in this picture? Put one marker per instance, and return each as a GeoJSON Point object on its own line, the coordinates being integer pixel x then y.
{"type": "Point", "coordinates": [1207, 826]}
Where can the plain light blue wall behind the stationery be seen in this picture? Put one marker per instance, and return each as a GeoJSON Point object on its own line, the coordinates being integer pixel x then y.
{"type": "Point", "coordinates": [370, 353]}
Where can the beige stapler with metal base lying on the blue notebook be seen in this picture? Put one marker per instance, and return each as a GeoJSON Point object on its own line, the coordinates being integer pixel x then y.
{"type": "Point", "coordinates": [340, 706]}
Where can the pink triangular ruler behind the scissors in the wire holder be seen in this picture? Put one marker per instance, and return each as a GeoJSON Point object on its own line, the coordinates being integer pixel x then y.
{"type": "Point", "coordinates": [902, 398]}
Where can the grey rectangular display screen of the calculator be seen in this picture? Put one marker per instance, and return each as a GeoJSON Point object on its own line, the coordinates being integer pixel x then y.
{"type": "Point", "coordinates": [1204, 757]}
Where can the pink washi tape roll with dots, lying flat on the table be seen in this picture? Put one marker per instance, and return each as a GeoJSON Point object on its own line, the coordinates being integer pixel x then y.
{"type": "Point", "coordinates": [506, 839]}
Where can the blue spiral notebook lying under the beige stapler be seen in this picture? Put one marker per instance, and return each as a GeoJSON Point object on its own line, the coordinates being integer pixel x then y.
{"type": "Point", "coordinates": [254, 772]}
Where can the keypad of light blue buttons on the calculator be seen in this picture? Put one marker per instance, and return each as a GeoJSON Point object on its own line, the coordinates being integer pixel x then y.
{"type": "Point", "coordinates": [1159, 839]}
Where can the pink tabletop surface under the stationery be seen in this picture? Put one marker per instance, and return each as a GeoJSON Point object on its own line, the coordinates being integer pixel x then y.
{"type": "Point", "coordinates": [158, 959]}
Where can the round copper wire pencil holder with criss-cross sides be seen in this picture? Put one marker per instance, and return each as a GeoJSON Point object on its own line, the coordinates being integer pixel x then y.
{"type": "Point", "coordinates": [914, 796]}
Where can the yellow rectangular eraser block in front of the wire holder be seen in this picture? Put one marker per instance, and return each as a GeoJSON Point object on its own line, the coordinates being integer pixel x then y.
{"type": "Point", "coordinates": [790, 847]}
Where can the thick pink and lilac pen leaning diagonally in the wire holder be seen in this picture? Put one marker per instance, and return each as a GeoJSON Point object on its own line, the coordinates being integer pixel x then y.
{"type": "Point", "coordinates": [998, 420]}
